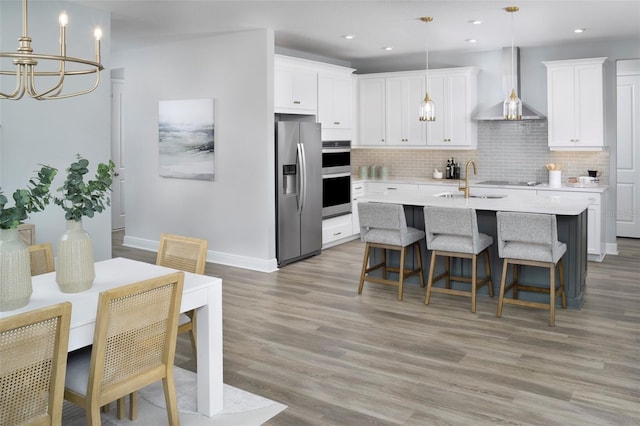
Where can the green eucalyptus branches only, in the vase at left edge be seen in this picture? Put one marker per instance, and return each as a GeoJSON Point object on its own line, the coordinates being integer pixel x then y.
{"type": "Point", "coordinates": [29, 200]}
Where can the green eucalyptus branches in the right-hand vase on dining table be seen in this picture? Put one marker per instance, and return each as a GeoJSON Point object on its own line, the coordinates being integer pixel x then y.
{"type": "Point", "coordinates": [85, 199]}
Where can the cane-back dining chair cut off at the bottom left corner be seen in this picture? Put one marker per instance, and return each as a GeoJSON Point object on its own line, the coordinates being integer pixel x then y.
{"type": "Point", "coordinates": [33, 360]}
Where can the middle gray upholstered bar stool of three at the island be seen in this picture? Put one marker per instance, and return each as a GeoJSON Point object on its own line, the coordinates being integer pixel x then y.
{"type": "Point", "coordinates": [453, 232]}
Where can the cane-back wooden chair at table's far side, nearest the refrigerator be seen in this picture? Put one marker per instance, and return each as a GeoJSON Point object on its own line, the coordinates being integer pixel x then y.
{"type": "Point", "coordinates": [189, 255]}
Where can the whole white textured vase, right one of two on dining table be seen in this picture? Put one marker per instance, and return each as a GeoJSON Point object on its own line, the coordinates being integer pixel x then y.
{"type": "Point", "coordinates": [75, 270]}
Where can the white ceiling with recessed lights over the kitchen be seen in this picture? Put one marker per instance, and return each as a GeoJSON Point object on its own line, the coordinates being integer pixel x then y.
{"type": "Point", "coordinates": [317, 27]}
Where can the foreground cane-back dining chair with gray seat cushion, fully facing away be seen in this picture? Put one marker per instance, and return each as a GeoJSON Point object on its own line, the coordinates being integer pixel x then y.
{"type": "Point", "coordinates": [133, 346]}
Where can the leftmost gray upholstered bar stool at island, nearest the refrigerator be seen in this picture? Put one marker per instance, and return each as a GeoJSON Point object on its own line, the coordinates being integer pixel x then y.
{"type": "Point", "coordinates": [384, 226]}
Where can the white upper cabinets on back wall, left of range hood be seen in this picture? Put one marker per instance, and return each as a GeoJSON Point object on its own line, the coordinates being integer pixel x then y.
{"type": "Point", "coordinates": [389, 105]}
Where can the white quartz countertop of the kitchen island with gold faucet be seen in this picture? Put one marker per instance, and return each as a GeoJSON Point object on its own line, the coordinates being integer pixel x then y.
{"type": "Point", "coordinates": [527, 201]}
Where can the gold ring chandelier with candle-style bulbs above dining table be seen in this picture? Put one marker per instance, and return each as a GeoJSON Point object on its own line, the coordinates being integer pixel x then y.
{"type": "Point", "coordinates": [27, 75]}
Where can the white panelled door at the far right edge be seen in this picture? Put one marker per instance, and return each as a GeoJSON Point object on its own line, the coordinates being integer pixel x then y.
{"type": "Point", "coordinates": [628, 149]}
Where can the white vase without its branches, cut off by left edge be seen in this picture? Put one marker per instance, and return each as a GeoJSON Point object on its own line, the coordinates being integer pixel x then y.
{"type": "Point", "coordinates": [15, 271]}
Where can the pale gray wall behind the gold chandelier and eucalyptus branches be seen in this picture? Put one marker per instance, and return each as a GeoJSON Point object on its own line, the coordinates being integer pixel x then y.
{"type": "Point", "coordinates": [53, 132]}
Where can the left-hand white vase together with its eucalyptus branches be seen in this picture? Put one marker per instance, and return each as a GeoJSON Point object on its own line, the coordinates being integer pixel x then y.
{"type": "Point", "coordinates": [15, 270]}
